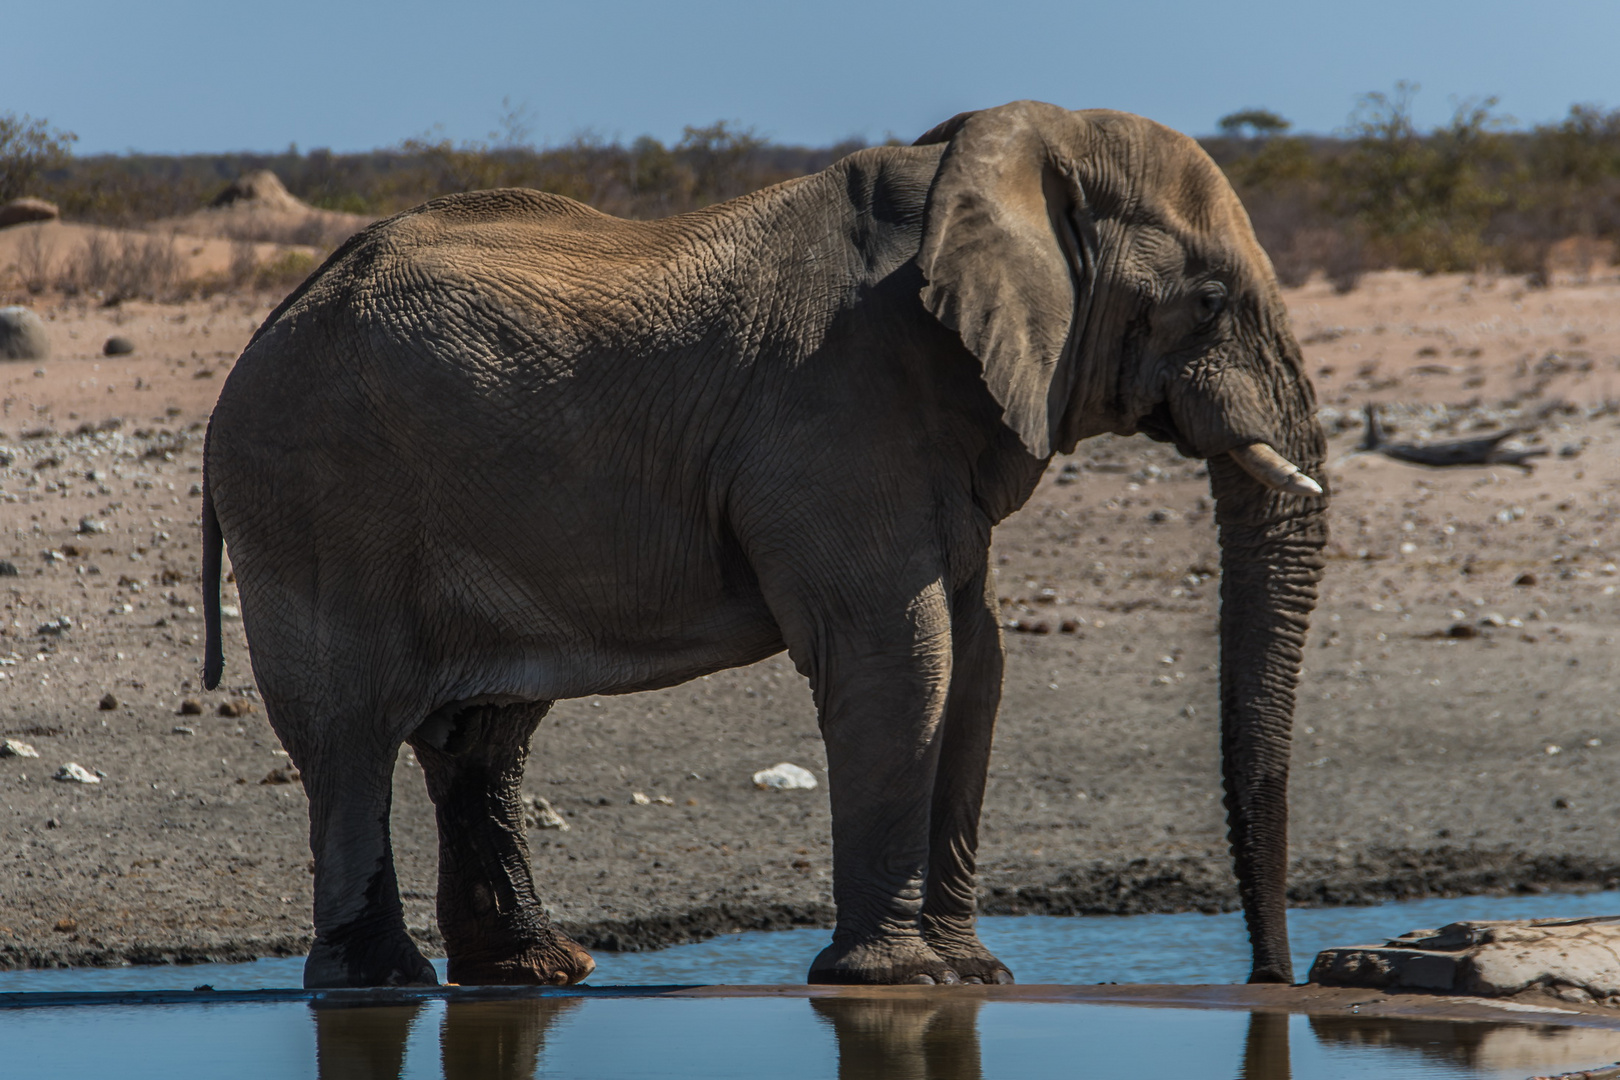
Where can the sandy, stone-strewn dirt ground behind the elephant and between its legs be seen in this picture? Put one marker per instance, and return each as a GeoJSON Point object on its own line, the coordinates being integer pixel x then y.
{"type": "Point", "coordinates": [1457, 729]}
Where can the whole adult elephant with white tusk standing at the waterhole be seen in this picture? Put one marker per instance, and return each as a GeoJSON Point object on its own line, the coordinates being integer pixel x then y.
{"type": "Point", "coordinates": [505, 449]}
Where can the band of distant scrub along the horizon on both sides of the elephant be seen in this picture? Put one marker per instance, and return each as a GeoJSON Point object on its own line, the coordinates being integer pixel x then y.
{"type": "Point", "coordinates": [1383, 193]}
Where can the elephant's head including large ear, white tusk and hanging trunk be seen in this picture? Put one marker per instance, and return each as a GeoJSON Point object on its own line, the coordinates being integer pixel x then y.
{"type": "Point", "coordinates": [1107, 279]}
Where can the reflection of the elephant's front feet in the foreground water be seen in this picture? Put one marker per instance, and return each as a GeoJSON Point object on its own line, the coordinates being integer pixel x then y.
{"type": "Point", "coordinates": [905, 1039]}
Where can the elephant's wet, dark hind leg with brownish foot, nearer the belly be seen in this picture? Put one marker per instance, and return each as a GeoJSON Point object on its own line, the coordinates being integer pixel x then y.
{"type": "Point", "coordinates": [495, 929]}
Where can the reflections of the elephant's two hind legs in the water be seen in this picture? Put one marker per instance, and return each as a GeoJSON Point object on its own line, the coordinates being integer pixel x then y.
{"type": "Point", "coordinates": [484, 1040]}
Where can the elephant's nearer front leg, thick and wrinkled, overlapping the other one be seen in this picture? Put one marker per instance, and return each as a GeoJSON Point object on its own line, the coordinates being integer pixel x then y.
{"type": "Point", "coordinates": [882, 704]}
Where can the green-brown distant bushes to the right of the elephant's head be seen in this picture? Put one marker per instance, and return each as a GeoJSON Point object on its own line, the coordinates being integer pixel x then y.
{"type": "Point", "coordinates": [1470, 195]}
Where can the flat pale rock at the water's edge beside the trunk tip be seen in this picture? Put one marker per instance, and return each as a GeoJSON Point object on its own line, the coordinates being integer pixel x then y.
{"type": "Point", "coordinates": [1577, 959]}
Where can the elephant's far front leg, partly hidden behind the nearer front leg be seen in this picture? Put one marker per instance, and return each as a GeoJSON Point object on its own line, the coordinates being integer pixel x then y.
{"type": "Point", "coordinates": [950, 909]}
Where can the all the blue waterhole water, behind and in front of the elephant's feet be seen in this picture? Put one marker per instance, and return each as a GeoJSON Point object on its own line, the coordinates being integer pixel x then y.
{"type": "Point", "coordinates": [787, 1039]}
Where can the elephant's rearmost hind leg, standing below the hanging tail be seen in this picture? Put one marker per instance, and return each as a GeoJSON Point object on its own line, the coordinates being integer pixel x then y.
{"type": "Point", "coordinates": [359, 925]}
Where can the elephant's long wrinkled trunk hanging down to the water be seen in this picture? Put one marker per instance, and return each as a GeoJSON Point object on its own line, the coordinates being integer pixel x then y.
{"type": "Point", "coordinates": [1273, 538]}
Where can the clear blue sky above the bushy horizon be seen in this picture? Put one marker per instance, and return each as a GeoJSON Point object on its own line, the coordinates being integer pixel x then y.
{"type": "Point", "coordinates": [190, 77]}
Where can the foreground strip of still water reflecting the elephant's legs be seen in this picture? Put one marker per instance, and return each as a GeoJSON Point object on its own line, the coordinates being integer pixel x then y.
{"type": "Point", "coordinates": [778, 1039]}
